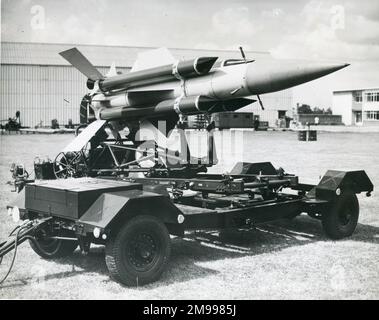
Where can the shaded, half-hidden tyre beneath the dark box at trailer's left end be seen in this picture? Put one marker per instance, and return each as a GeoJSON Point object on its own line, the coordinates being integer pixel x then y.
{"type": "Point", "coordinates": [59, 249]}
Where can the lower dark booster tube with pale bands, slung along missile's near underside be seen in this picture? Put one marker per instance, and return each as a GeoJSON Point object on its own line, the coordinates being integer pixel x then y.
{"type": "Point", "coordinates": [185, 106]}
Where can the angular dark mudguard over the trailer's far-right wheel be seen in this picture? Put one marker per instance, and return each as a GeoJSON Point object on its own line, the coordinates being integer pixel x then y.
{"type": "Point", "coordinates": [348, 182]}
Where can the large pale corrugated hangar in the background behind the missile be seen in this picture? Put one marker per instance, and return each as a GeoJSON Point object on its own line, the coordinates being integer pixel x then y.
{"type": "Point", "coordinates": [39, 83]}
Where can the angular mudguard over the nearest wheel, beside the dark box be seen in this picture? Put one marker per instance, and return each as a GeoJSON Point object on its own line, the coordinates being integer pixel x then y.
{"type": "Point", "coordinates": [113, 207]}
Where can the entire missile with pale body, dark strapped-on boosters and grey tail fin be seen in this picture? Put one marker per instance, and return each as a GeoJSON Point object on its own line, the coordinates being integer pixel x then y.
{"type": "Point", "coordinates": [189, 87]}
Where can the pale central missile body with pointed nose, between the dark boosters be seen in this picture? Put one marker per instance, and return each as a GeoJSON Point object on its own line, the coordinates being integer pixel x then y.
{"type": "Point", "coordinates": [223, 84]}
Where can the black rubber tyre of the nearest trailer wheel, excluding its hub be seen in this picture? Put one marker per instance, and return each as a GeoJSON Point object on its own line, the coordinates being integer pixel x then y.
{"type": "Point", "coordinates": [115, 249]}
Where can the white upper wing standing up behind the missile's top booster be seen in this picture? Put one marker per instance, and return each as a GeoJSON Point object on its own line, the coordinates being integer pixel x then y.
{"type": "Point", "coordinates": [153, 58]}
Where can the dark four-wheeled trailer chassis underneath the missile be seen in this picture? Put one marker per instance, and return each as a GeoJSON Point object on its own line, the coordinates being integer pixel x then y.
{"type": "Point", "coordinates": [134, 210]}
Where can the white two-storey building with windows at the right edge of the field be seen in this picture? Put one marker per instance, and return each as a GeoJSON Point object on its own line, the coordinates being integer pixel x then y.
{"type": "Point", "coordinates": [357, 107]}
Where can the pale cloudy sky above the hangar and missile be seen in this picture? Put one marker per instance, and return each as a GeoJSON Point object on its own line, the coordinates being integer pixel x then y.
{"type": "Point", "coordinates": [329, 30]}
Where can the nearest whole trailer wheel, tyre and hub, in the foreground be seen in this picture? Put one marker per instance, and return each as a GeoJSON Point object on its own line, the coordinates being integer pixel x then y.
{"type": "Point", "coordinates": [138, 253]}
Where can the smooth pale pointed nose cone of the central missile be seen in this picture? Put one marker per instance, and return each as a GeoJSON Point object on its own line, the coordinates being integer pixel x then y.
{"type": "Point", "coordinates": [283, 75]}
